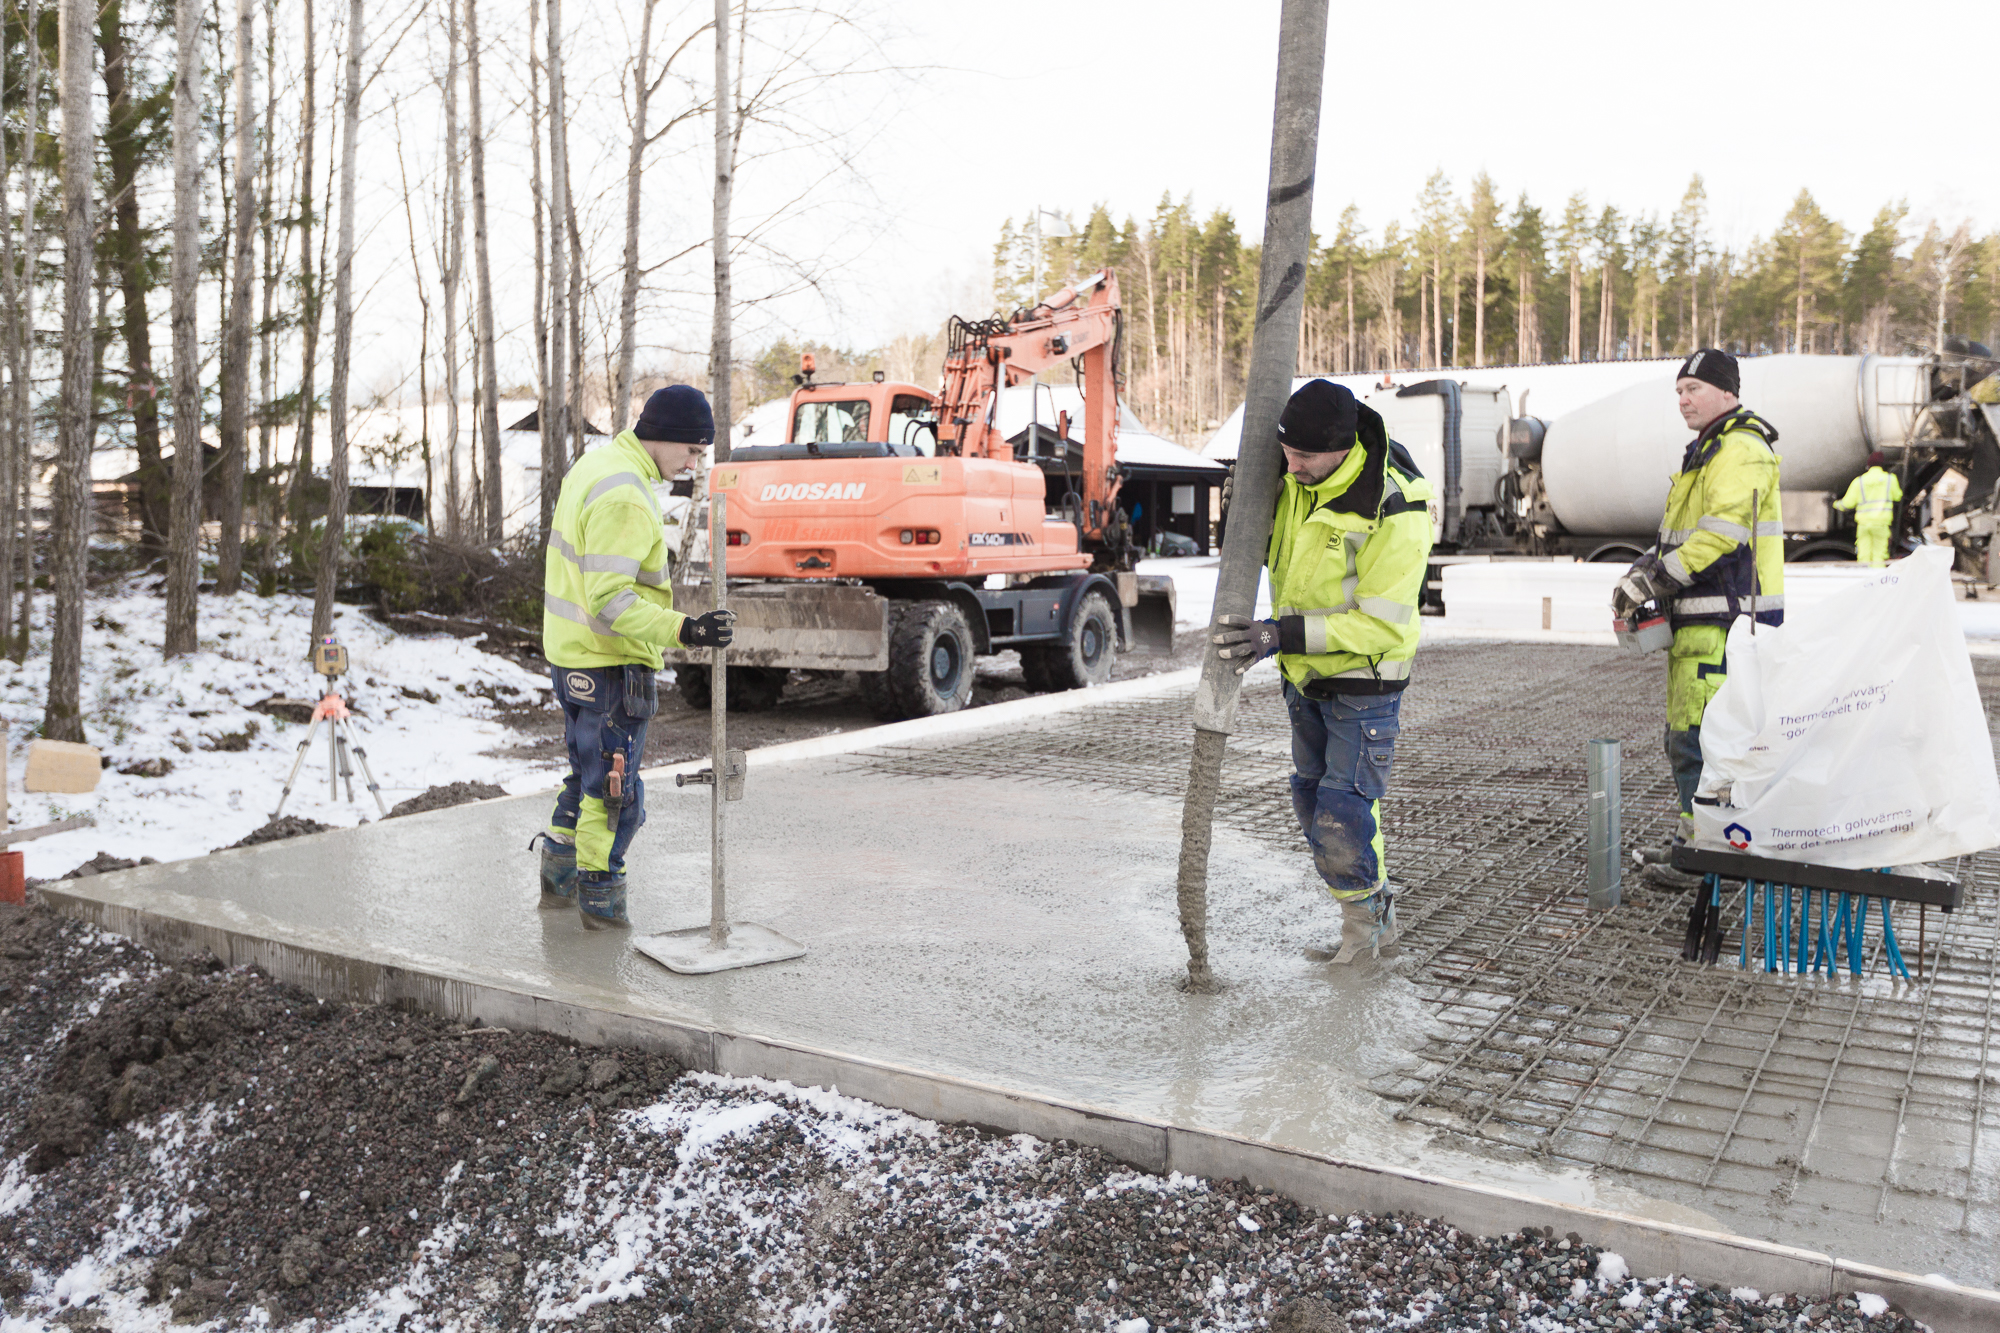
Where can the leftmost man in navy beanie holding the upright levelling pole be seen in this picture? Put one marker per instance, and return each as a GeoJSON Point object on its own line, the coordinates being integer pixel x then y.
{"type": "Point", "coordinates": [607, 613]}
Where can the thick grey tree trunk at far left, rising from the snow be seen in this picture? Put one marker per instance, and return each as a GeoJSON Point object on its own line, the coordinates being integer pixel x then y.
{"type": "Point", "coordinates": [71, 543]}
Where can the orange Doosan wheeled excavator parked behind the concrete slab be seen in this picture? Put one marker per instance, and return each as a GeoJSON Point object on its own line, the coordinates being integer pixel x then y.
{"type": "Point", "coordinates": [901, 533]}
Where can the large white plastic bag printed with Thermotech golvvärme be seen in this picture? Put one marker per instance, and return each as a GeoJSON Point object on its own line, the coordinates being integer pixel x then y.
{"type": "Point", "coordinates": [1853, 736]}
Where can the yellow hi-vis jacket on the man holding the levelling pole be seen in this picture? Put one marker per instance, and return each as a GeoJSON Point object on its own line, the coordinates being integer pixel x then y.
{"type": "Point", "coordinates": [607, 597]}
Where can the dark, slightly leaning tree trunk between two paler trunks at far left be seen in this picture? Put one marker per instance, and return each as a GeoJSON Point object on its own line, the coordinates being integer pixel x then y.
{"type": "Point", "coordinates": [129, 253]}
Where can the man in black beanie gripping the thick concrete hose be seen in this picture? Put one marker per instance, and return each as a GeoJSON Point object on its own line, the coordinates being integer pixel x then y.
{"type": "Point", "coordinates": [1349, 551]}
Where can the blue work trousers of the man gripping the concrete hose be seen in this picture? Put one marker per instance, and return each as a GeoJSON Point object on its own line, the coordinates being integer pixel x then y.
{"type": "Point", "coordinates": [1343, 750]}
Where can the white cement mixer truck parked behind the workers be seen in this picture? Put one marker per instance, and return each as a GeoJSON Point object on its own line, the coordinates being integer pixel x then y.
{"type": "Point", "coordinates": [1591, 481]}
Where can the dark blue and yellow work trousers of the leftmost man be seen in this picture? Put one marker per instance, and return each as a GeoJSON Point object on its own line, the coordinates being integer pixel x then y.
{"type": "Point", "coordinates": [605, 716]}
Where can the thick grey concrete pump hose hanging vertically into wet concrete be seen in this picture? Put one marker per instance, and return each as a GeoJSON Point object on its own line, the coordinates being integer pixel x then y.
{"type": "Point", "coordinates": [1295, 145]}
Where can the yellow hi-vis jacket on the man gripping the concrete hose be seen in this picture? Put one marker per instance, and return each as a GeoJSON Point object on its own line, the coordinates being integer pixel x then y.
{"type": "Point", "coordinates": [1349, 555]}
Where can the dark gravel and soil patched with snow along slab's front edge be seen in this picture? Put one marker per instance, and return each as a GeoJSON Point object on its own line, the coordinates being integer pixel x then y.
{"type": "Point", "coordinates": [193, 1144]}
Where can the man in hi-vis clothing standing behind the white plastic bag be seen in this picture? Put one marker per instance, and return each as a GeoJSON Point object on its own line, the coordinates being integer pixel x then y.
{"type": "Point", "coordinates": [1721, 555]}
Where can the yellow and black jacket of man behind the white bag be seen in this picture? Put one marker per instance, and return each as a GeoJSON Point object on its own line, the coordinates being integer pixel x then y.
{"type": "Point", "coordinates": [1705, 537]}
